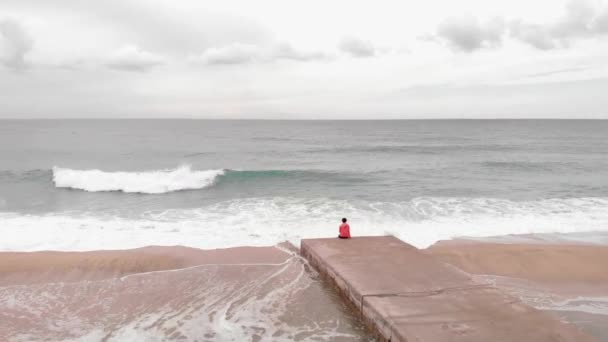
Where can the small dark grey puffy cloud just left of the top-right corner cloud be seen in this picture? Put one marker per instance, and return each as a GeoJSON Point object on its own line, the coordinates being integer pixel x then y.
{"type": "Point", "coordinates": [466, 33]}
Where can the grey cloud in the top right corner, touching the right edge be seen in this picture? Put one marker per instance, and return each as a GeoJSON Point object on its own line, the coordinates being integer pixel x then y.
{"type": "Point", "coordinates": [581, 19]}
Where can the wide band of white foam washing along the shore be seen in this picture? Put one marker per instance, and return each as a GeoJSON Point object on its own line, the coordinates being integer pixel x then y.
{"type": "Point", "coordinates": [268, 221]}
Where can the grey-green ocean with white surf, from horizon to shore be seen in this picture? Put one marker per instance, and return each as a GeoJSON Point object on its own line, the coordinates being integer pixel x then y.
{"type": "Point", "coordinates": [115, 184]}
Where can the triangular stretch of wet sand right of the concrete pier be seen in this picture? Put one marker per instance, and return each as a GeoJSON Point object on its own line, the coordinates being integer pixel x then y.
{"type": "Point", "coordinates": [569, 280]}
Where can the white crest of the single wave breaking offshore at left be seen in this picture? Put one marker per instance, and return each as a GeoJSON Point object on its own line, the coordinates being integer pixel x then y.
{"type": "Point", "coordinates": [145, 182]}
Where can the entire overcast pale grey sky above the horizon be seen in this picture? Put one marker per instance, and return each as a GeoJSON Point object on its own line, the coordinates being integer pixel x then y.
{"type": "Point", "coordinates": [304, 60]}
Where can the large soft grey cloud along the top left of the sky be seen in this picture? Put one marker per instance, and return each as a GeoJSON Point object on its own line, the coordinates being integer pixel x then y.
{"type": "Point", "coordinates": [173, 28]}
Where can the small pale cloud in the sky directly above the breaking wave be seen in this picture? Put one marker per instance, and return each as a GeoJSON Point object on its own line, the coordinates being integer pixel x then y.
{"type": "Point", "coordinates": [132, 58]}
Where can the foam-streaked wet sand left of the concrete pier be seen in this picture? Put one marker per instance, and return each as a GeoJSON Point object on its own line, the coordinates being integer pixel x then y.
{"type": "Point", "coordinates": [169, 293]}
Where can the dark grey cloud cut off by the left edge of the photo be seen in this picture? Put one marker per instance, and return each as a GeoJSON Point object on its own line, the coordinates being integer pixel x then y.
{"type": "Point", "coordinates": [15, 43]}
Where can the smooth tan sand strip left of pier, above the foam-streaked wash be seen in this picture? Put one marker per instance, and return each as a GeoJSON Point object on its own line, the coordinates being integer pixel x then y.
{"type": "Point", "coordinates": [23, 268]}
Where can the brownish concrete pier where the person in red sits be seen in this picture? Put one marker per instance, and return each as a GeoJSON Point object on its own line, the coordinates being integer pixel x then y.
{"type": "Point", "coordinates": [406, 295]}
